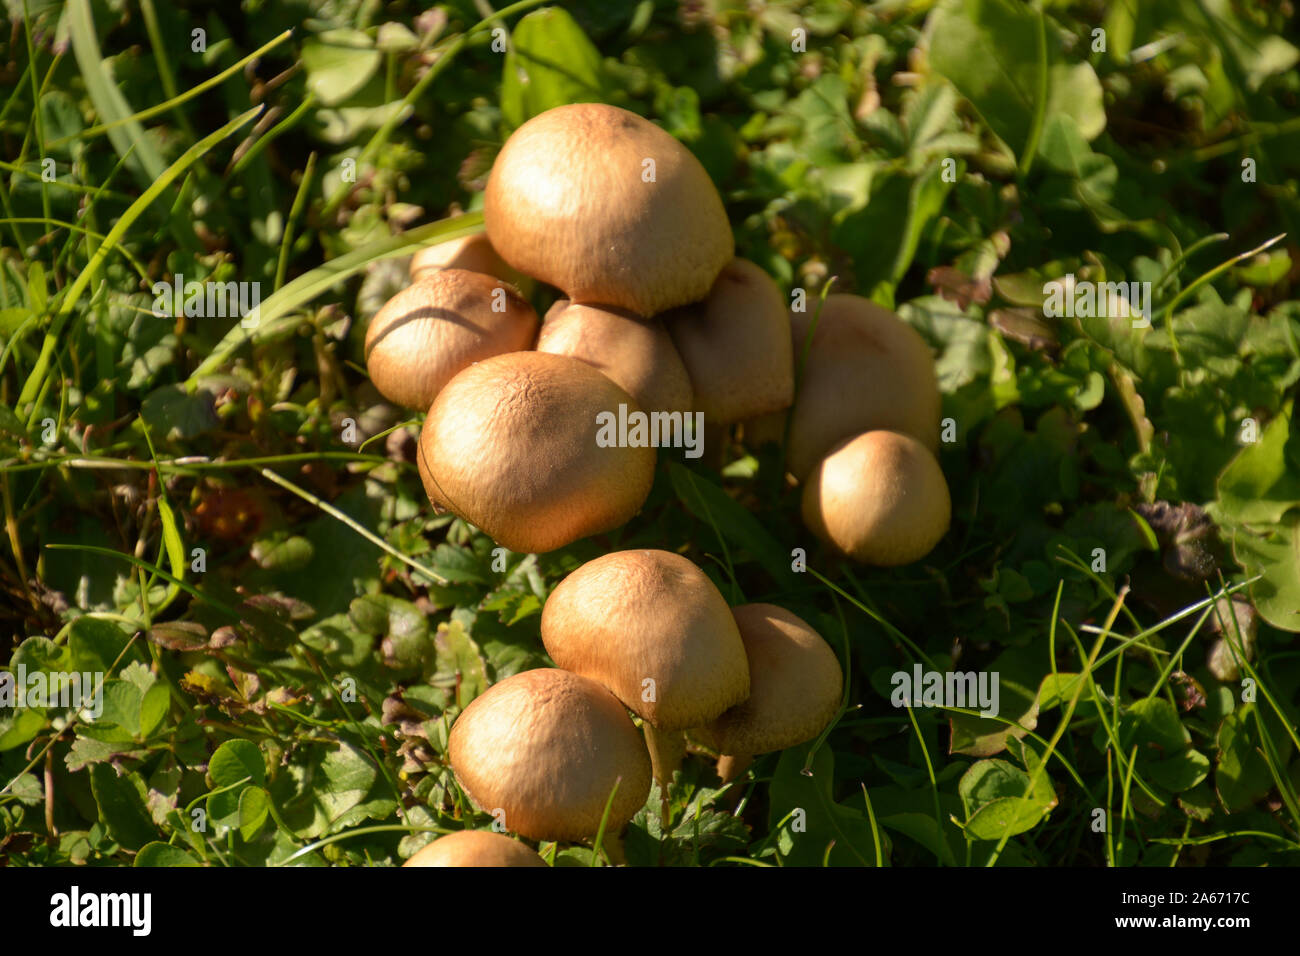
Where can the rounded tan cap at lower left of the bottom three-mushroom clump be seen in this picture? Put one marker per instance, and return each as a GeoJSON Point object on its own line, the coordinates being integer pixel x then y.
{"type": "Point", "coordinates": [547, 747]}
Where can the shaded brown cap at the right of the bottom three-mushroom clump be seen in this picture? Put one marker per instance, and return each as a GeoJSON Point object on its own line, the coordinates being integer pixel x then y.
{"type": "Point", "coordinates": [795, 685]}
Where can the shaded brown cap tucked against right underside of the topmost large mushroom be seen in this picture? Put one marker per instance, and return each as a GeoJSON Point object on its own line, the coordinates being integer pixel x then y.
{"type": "Point", "coordinates": [736, 345]}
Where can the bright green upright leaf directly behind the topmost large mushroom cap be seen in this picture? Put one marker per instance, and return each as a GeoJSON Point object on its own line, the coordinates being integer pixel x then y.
{"type": "Point", "coordinates": [549, 63]}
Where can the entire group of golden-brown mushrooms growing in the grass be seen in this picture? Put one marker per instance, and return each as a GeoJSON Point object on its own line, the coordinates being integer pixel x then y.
{"type": "Point", "coordinates": [656, 317]}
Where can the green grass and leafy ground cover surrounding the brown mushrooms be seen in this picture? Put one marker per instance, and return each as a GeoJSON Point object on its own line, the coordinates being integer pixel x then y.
{"type": "Point", "coordinates": [184, 513]}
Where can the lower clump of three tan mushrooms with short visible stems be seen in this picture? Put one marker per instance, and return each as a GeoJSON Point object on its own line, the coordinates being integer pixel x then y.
{"type": "Point", "coordinates": [553, 755]}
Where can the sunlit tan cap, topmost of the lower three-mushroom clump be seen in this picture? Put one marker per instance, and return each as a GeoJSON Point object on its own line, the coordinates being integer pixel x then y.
{"type": "Point", "coordinates": [631, 617]}
